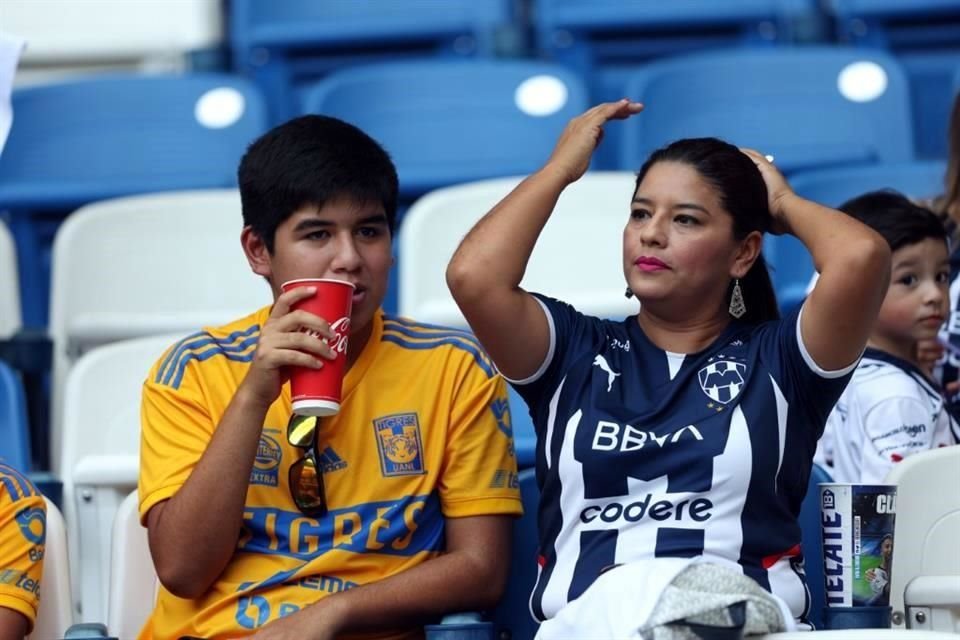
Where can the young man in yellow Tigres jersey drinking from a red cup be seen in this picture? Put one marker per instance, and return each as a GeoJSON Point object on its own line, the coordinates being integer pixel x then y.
{"type": "Point", "coordinates": [384, 517]}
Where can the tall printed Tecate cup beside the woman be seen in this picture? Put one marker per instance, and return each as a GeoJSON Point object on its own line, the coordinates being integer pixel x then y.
{"type": "Point", "coordinates": [857, 527]}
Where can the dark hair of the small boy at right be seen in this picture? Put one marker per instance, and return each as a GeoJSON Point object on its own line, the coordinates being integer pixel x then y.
{"type": "Point", "coordinates": [892, 215]}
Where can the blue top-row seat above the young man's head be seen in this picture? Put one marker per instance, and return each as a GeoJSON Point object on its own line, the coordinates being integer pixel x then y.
{"type": "Point", "coordinates": [285, 43]}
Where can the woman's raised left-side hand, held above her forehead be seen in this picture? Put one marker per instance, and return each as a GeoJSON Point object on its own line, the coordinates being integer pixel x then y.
{"type": "Point", "coordinates": [571, 155]}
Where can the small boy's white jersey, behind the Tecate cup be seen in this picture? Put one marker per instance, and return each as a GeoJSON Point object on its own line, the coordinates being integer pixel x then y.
{"type": "Point", "coordinates": [890, 410]}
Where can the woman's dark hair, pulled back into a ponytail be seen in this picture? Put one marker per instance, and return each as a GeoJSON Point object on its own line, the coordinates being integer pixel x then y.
{"type": "Point", "coordinates": [743, 193]}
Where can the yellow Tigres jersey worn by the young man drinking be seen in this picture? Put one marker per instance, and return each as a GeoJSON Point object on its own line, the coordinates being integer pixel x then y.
{"type": "Point", "coordinates": [423, 433]}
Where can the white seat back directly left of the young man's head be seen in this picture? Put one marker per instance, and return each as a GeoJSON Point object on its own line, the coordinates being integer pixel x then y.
{"type": "Point", "coordinates": [146, 265]}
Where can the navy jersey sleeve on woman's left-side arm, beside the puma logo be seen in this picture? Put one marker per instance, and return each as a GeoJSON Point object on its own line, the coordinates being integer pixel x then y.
{"type": "Point", "coordinates": [571, 335]}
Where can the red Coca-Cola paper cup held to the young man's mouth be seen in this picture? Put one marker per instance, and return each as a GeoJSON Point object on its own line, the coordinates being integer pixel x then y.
{"type": "Point", "coordinates": [316, 392]}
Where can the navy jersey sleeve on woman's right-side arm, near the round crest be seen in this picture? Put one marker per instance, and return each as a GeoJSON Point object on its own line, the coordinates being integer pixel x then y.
{"type": "Point", "coordinates": [809, 390]}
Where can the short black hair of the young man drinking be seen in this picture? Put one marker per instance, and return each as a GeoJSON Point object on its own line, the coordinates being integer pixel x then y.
{"type": "Point", "coordinates": [310, 161]}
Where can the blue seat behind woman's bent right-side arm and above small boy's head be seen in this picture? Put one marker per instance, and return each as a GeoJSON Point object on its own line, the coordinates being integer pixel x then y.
{"type": "Point", "coordinates": [791, 264]}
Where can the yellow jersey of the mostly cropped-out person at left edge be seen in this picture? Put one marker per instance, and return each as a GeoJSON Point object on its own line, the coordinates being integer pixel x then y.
{"type": "Point", "coordinates": [23, 517]}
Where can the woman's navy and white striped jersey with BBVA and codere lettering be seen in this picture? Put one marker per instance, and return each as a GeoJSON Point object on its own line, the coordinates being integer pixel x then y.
{"type": "Point", "coordinates": [644, 453]}
